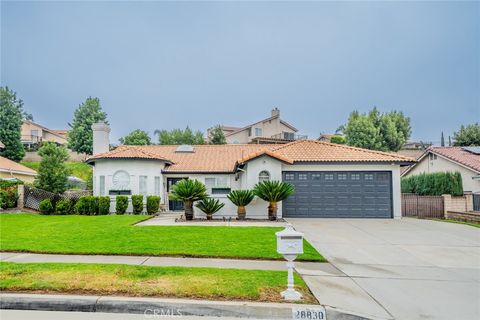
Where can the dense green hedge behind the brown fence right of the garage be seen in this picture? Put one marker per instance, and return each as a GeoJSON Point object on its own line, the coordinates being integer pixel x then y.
{"type": "Point", "coordinates": [433, 184]}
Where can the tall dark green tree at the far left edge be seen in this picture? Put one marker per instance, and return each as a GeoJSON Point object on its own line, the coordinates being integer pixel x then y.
{"type": "Point", "coordinates": [11, 110]}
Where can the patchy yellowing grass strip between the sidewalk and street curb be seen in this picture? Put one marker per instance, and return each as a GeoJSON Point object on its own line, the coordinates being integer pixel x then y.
{"type": "Point", "coordinates": [203, 283]}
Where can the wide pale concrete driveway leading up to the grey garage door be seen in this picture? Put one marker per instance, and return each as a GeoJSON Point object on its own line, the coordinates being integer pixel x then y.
{"type": "Point", "coordinates": [401, 269]}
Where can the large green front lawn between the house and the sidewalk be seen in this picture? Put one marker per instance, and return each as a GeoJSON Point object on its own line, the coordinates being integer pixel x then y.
{"type": "Point", "coordinates": [116, 235]}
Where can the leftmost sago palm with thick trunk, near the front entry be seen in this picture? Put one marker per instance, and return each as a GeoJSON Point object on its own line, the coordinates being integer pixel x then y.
{"type": "Point", "coordinates": [188, 191]}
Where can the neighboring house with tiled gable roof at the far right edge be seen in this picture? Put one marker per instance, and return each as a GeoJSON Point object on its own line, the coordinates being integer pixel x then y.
{"type": "Point", "coordinates": [465, 160]}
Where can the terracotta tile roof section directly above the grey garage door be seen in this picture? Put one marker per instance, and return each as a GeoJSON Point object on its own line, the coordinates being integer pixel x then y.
{"type": "Point", "coordinates": [320, 151]}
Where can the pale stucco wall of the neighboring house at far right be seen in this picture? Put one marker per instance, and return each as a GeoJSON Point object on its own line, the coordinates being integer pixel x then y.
{"type": "Point", "coordinates": [443, 165]}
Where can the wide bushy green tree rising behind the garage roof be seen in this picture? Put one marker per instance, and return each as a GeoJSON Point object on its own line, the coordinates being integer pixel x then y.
{"type": "Point", "coordinates": [377, 131]}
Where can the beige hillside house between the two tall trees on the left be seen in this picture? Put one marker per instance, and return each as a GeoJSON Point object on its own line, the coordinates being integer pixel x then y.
{"type": "Point", "coordinates": [33, 133]}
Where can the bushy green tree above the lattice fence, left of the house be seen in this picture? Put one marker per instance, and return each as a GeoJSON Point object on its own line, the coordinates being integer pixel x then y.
{"type": "Point", "coordinates": [52, 173]}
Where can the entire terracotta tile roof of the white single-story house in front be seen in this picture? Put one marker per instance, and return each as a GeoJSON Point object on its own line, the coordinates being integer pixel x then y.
{"type": "Point", "coordinates": [224, 158]}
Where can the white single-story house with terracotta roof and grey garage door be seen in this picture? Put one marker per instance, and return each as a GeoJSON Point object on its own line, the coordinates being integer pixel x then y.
{"type": "Point", "coordinates": [331, 180]}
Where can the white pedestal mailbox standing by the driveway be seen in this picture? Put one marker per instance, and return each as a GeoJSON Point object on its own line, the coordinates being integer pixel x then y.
{"type": "Point", "coordinates": [290, 245]}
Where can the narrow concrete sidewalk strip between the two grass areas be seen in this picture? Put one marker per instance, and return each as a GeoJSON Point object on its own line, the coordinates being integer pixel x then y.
{"type": "Point", "coordinates": [303, 268]}
